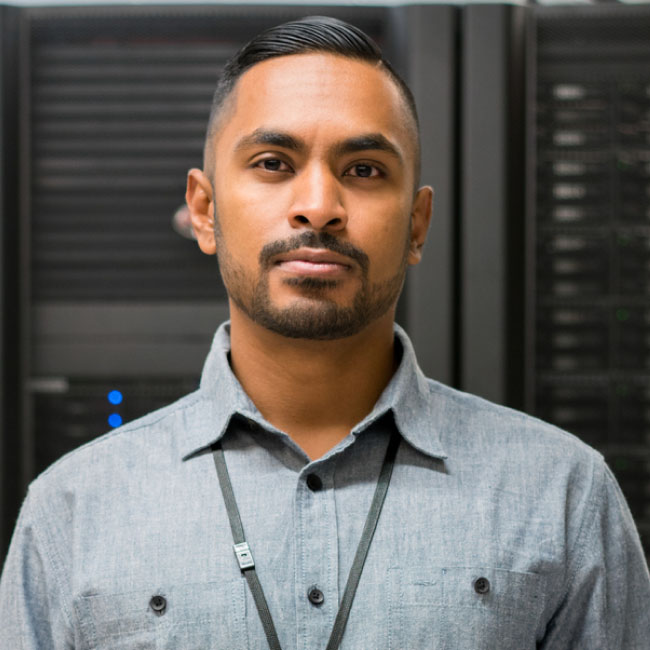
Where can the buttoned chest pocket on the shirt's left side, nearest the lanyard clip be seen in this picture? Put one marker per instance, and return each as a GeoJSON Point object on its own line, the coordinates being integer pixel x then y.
{"type": "Point", "coordinates": [187, 617]}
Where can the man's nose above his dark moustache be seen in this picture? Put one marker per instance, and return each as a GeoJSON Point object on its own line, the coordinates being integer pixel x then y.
{"type": "Point", "coordinates": [317, 201]}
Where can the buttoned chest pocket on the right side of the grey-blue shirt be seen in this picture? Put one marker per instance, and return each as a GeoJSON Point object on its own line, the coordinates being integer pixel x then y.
{"type": "Point", "coordinates": [464, 608]}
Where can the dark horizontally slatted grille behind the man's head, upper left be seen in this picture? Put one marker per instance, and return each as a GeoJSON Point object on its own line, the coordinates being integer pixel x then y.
{"type": "Point", "coordinates": [116, 124]}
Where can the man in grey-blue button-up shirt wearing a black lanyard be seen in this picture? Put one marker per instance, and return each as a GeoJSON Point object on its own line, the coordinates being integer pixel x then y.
{"type": "Point", "coordinates": [370, 508]}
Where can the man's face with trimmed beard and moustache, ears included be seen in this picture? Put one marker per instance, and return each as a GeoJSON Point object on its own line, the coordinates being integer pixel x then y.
{"type": "Point", "coordinates": [316, 219]}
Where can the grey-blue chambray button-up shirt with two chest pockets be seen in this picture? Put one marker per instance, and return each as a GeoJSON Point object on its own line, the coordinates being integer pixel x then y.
{"type": "Point", "coordinates": [499, 532]}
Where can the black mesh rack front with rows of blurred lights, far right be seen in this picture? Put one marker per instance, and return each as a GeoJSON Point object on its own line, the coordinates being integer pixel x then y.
{"type": "Point", "coordinates": [588, 268]}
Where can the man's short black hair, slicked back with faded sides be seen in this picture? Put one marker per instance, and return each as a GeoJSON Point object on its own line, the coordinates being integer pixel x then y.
{"type": "Point", "coordinates": [310, 34]}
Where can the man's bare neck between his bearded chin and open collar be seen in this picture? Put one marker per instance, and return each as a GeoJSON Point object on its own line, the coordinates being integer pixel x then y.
{"type": "Point", "coordinates": [315, 391]}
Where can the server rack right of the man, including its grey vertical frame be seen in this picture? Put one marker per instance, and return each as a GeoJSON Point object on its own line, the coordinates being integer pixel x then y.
{"type": "Point", "coordinates": [553, 216]}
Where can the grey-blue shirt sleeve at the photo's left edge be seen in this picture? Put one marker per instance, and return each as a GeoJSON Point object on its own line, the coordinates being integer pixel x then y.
{"type": "Point", "coordinates": [32, 612]}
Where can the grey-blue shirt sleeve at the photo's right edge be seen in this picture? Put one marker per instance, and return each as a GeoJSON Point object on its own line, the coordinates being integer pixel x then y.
{"type": "Point", "coordinates": [607, 596]}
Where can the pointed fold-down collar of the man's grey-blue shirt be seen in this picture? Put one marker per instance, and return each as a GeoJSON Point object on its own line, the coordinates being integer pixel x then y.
{"type": "Point", "coordinates": [408, 395]}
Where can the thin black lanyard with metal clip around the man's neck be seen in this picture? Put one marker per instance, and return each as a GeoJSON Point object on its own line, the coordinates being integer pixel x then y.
{"type": "Point", "coordinates": [245, 557]}
